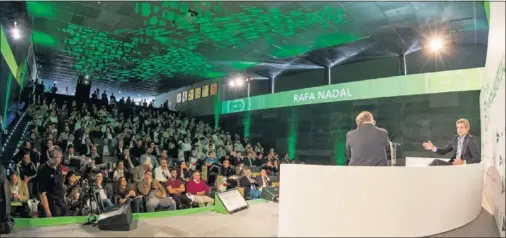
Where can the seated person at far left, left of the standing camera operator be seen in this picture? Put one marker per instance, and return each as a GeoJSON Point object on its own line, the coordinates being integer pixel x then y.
{"type": "Point", "coordinates": [19, 193]}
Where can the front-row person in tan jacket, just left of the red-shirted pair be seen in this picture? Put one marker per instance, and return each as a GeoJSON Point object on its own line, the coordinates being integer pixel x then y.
{"type": "Point", "coordinates": [155, 194]}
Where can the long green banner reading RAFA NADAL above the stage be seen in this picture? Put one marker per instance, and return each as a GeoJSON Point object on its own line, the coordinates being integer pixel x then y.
{"type": "Point", "coordinates": [428, 83]}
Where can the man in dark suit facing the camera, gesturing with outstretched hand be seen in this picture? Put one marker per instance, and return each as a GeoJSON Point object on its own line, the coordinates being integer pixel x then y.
{"type": "Point", "coordinates": [464, 146]}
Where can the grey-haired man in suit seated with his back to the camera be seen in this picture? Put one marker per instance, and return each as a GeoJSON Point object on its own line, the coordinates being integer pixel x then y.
{"type": "Point", "coordinates": [366, 145]}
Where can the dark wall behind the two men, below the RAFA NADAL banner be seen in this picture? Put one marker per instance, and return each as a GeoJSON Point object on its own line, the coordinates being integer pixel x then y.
{"type": "Point", "coordinates": [320, 127]}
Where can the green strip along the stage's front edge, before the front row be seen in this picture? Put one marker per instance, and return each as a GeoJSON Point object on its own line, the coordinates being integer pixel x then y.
{"type": "Point", "coordinates": [56, 221]}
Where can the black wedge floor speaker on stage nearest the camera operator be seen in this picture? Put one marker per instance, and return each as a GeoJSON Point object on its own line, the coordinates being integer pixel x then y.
{"type": "Point", "coordinates": [117, 220]}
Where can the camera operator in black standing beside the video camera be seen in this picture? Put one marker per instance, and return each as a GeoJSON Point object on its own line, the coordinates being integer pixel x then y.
{"type": "Point", "coordinates": [50, 184]}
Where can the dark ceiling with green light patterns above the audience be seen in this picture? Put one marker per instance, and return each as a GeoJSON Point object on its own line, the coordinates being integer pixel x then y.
{"type": "Point", "coordinates": [152, 47]}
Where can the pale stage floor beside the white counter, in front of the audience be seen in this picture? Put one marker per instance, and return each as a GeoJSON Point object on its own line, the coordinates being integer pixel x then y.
{"type": "Point", "coordinates": [260, 220]}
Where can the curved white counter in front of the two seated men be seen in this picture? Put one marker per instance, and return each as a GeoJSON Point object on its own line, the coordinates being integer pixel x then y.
{"type": "Point", "coordinates": [335, 201]}
